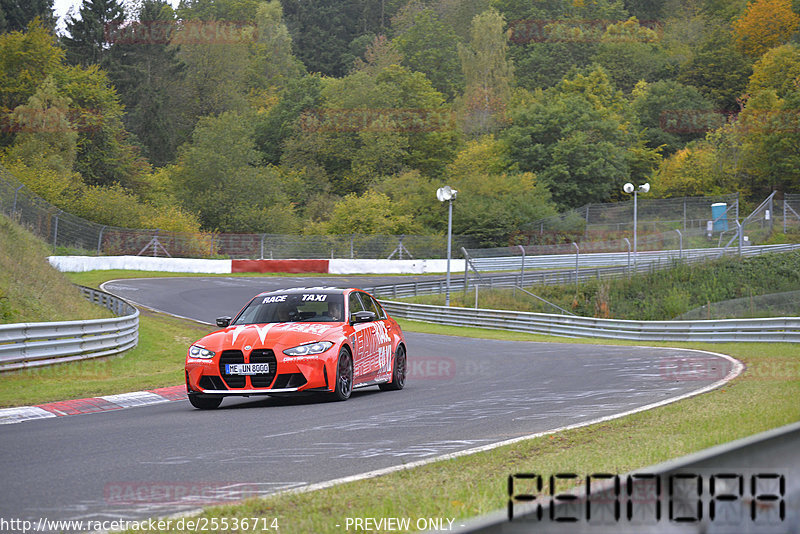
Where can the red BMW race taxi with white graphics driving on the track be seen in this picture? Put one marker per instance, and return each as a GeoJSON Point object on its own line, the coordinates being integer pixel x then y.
{"type": "Point", "coordinates": [298, 340]}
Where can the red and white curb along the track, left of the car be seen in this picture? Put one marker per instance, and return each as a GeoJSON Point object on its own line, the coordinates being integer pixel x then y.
{"type": "Point", "coordinates": [92, 405]}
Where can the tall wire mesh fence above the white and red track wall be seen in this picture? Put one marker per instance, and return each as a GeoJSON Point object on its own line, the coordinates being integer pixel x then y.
{"type": "Point", "coordinates": [64, 231]}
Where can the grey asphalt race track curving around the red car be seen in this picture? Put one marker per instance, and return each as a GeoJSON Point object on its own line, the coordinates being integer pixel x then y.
{"type": "Point", "coordinates": [461, 394]}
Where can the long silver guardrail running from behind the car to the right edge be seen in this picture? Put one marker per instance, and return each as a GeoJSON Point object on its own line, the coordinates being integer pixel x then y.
{"type": "Point", "coordinates": [775, 329]}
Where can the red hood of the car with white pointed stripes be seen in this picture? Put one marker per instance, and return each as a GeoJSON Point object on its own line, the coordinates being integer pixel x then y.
{"type": "Point", "coordinates": [267, 335]}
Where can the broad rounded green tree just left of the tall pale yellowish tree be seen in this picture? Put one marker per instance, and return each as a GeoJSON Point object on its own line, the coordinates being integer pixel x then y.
{"type": "Point", "coordinates": [375, 122]}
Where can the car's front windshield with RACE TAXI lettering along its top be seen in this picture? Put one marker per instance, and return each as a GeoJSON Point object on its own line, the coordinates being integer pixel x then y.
{"type": "Point", "coordinates": [291, 307]}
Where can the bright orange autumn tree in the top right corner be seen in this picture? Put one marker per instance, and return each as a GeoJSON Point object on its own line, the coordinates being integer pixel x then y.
{"type": "Point", "coordinates": [764, 25]}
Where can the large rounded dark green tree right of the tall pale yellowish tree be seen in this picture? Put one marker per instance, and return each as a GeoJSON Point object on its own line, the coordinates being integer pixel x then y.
{"type": "Point", "coordinates": [579, 140]}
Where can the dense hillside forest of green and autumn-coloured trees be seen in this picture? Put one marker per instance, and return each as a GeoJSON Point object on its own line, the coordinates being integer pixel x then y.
{"type": "Point", "coordinates": [345, 116]}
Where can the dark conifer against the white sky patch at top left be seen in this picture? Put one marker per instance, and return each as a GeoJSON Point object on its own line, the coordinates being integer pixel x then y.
{"type": "Point", "coordinates": [87, 42]}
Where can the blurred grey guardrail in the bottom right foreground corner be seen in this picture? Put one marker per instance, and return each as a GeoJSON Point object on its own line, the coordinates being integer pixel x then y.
{"type": "Point", "coordinates": [752, 484]}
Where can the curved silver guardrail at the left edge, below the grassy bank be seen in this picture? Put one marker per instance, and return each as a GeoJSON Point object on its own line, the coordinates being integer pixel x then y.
{"type": "Point", "coordinates": [26, 345]}
